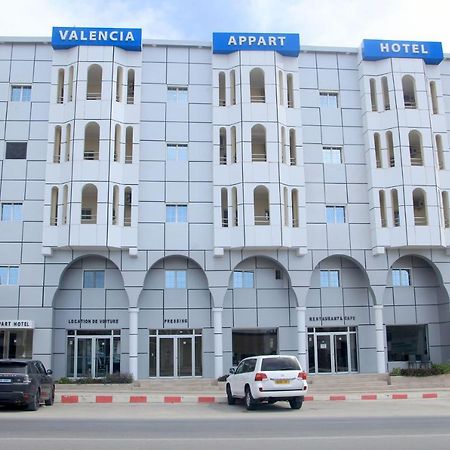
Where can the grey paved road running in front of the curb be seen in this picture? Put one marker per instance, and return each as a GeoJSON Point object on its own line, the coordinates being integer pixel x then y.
{"type": "Point", "coordinates": [348, 425]}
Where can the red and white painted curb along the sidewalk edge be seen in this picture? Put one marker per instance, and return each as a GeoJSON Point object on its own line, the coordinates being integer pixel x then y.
{"type": "Point", "coordinates": [205, 399]}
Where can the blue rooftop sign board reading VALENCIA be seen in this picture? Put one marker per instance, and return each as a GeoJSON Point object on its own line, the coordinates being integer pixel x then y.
{"type": "Point", "coordinates": [126, 38]}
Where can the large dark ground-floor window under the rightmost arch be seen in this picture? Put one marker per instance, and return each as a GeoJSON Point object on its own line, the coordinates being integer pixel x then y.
{"type": "Point", "coordinates": [407, 343]}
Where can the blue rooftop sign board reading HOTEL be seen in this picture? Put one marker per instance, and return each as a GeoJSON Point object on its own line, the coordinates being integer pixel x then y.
{"type": "Point", "coordinates": [430, 52]}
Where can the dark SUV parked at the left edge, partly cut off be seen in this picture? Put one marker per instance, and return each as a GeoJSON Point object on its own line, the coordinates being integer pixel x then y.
{"type": "Point", "coordinates": [25, 382]}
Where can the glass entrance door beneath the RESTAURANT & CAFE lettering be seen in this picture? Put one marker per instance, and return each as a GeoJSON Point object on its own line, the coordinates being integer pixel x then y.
{"type": "Point", "coordinates": [332, 350]}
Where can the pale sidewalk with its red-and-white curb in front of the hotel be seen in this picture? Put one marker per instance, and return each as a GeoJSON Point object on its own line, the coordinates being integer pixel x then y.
{"type": "Point", "coordinates": [209, 391]}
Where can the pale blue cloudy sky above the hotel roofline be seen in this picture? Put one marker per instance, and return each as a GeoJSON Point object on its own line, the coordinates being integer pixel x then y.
{"type": "Point", "coordinates": [334, 23]}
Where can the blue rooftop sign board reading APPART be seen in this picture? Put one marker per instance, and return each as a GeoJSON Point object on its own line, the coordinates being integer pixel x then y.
{"type": "Point", "coordinates": [287, 44]}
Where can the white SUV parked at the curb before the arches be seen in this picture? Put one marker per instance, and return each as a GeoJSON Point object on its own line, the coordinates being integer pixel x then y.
{"type": "Point", "coordinates": [267, 378]}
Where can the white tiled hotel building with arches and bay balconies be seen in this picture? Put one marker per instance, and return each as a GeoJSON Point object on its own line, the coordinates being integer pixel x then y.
{"type": "Point", "coordinates": [168, 211]}
